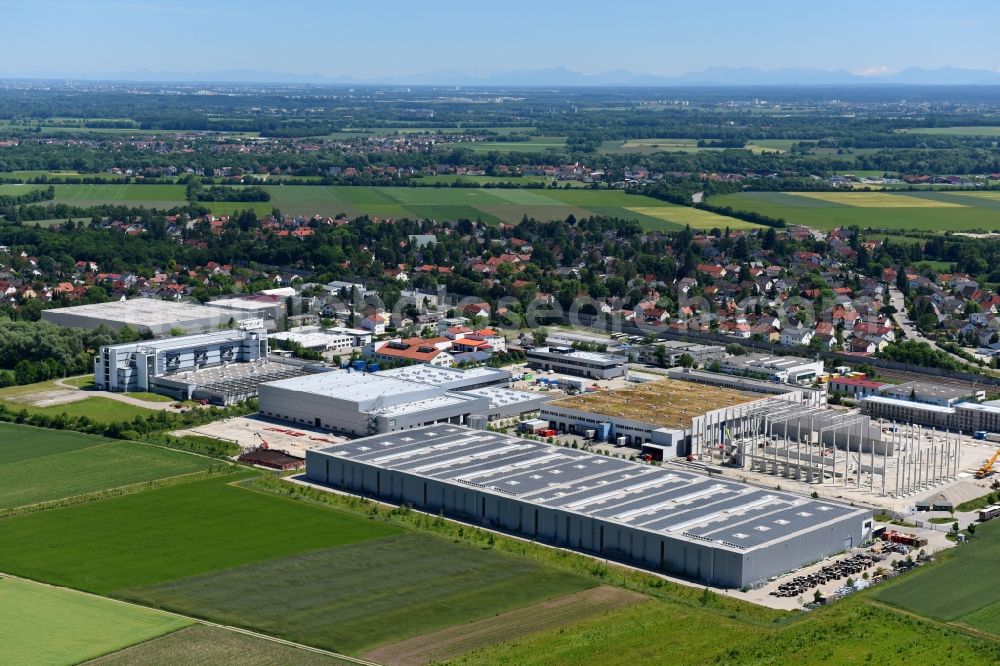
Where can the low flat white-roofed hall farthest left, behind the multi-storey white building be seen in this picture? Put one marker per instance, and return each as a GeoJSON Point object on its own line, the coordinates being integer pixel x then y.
{"type": "Point", "coordinates": [146, 315]}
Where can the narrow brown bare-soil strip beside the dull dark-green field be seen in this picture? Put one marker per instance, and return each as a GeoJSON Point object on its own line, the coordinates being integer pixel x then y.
{"type": "Point", "coordinates": [455, 641]}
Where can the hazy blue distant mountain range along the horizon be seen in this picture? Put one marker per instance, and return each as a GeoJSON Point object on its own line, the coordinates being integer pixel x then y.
{"type": "Point", "coordinates": [565, 77]}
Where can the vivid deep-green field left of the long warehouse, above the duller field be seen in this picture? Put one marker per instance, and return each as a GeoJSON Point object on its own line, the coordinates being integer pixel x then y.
{"type": "Point", "coordinates": [168, 533]}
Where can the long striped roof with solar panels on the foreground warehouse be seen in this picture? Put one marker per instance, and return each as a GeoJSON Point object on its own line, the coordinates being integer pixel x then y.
{"type": "Point", "coordinates": [663, 500]}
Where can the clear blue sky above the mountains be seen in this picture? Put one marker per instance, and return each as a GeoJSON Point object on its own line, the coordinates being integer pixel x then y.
{"type": "Point", "coordinates": [390, 37]}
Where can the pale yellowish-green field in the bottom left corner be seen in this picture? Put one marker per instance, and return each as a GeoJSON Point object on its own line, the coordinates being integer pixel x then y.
{"type": "Point", "coordinates": [47, 625]}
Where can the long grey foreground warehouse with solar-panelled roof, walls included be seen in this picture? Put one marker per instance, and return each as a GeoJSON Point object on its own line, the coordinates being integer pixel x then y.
{"type": "Point", "coordinates": [709, 529]}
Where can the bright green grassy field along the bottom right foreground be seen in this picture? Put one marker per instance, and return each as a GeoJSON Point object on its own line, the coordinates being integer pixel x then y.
{"type": "Point", "coordinates": [851, 631]}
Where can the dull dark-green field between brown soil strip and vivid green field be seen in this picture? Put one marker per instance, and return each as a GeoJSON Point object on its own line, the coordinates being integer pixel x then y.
{"type": "Point", "coordinates": [375, 592]}
